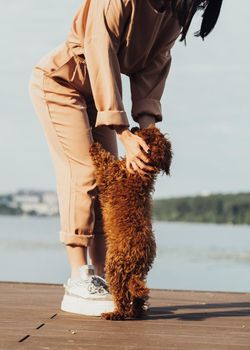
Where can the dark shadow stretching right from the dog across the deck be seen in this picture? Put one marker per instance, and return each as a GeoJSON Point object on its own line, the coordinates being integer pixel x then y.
{"type": "Point", "coordinates": [241, 309]}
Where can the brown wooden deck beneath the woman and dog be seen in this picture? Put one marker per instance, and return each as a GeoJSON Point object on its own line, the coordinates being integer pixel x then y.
{"type": "Point", "coordinates": [30, 318]}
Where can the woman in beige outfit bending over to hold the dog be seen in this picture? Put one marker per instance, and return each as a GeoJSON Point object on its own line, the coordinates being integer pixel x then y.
{"type": "Point", "coordinates": [76, 91]}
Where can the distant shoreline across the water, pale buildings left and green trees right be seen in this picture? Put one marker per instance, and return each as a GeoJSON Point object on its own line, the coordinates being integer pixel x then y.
{"type": "Point", "coordinates": [215, 208]}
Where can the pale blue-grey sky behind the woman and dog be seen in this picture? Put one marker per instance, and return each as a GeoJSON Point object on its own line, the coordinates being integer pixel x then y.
{"type": "Point", "coordinates": [205, 104]}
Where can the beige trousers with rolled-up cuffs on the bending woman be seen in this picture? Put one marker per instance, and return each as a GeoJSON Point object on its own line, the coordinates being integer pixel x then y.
{"type": "Point", "coordinates": [63, 103]}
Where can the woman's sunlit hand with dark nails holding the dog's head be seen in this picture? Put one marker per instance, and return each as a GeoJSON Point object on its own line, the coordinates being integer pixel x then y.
{"type": "Point", "coordinates": [134, 145]}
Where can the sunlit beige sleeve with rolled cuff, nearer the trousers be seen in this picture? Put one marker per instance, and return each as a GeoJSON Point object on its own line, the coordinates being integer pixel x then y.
{"type": "Point", "coordinates": [104, 25]}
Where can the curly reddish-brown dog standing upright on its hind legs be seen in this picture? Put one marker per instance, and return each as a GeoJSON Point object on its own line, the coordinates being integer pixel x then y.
{"type": "Point", "coordinates": [126, 204]}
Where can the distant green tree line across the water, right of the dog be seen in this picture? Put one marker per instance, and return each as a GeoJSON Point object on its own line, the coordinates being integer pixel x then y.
{"type": "Point", "coordinates": [217, 208]}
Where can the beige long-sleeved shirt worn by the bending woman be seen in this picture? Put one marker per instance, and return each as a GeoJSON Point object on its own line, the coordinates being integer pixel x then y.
{"type": "Point", "coordinates": [129, 37]}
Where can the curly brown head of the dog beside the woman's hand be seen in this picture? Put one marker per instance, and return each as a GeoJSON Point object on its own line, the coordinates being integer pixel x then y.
{"type": "Point", "coordinates": [160, 147]}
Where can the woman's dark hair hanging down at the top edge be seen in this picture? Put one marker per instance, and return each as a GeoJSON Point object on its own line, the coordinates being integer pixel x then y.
{"type": "Point", "coordinates": [186, 9]}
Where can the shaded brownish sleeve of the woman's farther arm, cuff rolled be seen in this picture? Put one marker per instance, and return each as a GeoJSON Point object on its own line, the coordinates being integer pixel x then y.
{"type": "Point", "coordinates": [147, 86]}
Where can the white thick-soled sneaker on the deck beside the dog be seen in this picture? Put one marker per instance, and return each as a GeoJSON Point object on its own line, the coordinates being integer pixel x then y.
{"type": "Point", "coordinates": [88, 294]}
